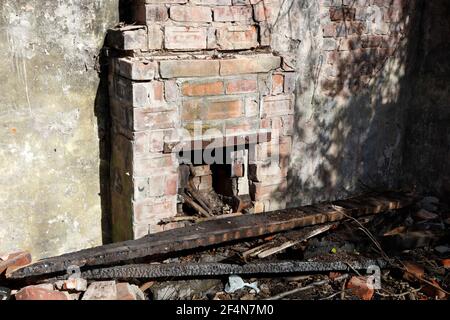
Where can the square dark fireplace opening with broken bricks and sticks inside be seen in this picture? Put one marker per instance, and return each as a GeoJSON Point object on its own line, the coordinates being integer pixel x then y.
{"type": "Point", "coordinates": [214, 182]}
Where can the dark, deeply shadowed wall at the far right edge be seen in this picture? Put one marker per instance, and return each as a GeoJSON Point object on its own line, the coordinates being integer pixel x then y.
{"type": "Point", "coordinates": [427, 151]}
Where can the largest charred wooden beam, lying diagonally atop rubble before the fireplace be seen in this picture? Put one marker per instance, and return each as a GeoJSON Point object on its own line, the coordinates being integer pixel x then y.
{"type": "Point", "coordinates": [217, 232]}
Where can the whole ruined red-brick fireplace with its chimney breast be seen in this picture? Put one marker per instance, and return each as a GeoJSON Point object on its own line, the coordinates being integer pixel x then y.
{"type": "Point", "coordinates": [195, 87]}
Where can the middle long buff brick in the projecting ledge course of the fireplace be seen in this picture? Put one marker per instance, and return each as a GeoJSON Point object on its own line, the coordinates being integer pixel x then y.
{"type": "Point", "coordinates": [189, 68]}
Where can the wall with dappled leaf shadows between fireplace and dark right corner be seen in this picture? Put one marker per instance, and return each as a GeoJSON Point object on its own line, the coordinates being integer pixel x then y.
{"type": "Point", "coordinates": [352, 100]}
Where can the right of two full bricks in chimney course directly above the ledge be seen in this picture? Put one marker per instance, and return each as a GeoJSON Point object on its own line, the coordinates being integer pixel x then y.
{"type": "Point", "coordinates": [237, 37]}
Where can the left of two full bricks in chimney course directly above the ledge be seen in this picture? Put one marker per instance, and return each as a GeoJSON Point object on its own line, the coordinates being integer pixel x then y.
{"type": "Point", "coordinates": [185, 38]}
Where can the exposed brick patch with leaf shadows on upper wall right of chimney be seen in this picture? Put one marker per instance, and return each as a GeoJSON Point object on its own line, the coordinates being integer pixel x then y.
{"type": "Point", "coordinates": [358, 37]}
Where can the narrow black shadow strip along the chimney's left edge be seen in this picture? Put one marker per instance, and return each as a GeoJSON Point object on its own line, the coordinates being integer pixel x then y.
{"type": "Point", "coordinates": [104, 127]}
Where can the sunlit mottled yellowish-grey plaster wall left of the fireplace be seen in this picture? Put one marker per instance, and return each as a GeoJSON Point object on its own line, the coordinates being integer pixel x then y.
{"type": "Point", "coordinates": [49, 145]}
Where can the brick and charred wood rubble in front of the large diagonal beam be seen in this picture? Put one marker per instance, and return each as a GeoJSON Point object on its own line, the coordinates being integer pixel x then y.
{"type": "Point", "coordinates": [401, 254]}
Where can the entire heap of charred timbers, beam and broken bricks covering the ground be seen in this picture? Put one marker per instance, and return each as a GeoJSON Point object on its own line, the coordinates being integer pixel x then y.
{"type": "Point", "coordinates": [341, 251]}
